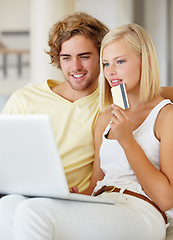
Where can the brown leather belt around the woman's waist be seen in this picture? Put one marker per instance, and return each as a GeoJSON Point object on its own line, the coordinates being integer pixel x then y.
{"type": "Point", "coordinates": [128, 192]}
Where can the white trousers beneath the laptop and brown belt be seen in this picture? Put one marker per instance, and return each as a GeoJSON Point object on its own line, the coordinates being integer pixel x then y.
{"type": "Point", "coordinates": [48, 219]}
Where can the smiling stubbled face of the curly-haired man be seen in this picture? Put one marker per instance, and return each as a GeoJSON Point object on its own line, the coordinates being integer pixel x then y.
{"type": "Point", "coordinates": [79, 60]}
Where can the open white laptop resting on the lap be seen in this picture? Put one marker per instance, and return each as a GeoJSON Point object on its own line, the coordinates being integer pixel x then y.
{"type": "Point", "coordinates": [30, 164]}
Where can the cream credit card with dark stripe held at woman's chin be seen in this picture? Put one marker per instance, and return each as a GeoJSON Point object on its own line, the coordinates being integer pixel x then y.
{"type": "Point", "coordinates": [120, 96]}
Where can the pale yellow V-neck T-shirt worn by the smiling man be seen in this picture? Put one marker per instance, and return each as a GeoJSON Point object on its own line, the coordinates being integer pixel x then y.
{"type": "Point", "coordinates": [73, 125]}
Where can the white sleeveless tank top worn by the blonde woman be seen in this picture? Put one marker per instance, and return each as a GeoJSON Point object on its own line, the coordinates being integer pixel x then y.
{"type": "Point", "coordinates": [113, 160]}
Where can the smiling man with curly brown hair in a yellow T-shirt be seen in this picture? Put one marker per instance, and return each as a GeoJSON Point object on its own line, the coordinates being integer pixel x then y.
{"type": "Point", "coordinates": [72, 105]}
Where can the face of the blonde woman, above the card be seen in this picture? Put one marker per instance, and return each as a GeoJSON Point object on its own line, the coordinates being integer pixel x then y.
{"type": "Point", "coordinates": [121, 65]}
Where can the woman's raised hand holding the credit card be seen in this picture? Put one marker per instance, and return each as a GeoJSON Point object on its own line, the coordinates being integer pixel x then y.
{"type": "Point", "coordinates": [120, 125]}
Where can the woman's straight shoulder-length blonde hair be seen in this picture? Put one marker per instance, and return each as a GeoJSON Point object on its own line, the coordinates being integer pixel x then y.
{"type": "Point", "coordinates": [135, 37]}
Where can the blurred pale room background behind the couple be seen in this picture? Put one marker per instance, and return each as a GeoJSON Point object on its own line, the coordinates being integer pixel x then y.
{"type": "Point", "coordinates": [24, 26]}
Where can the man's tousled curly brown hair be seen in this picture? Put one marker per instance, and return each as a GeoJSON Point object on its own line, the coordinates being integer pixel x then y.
{"type": "Point", "coordinates": [71, 25]}
